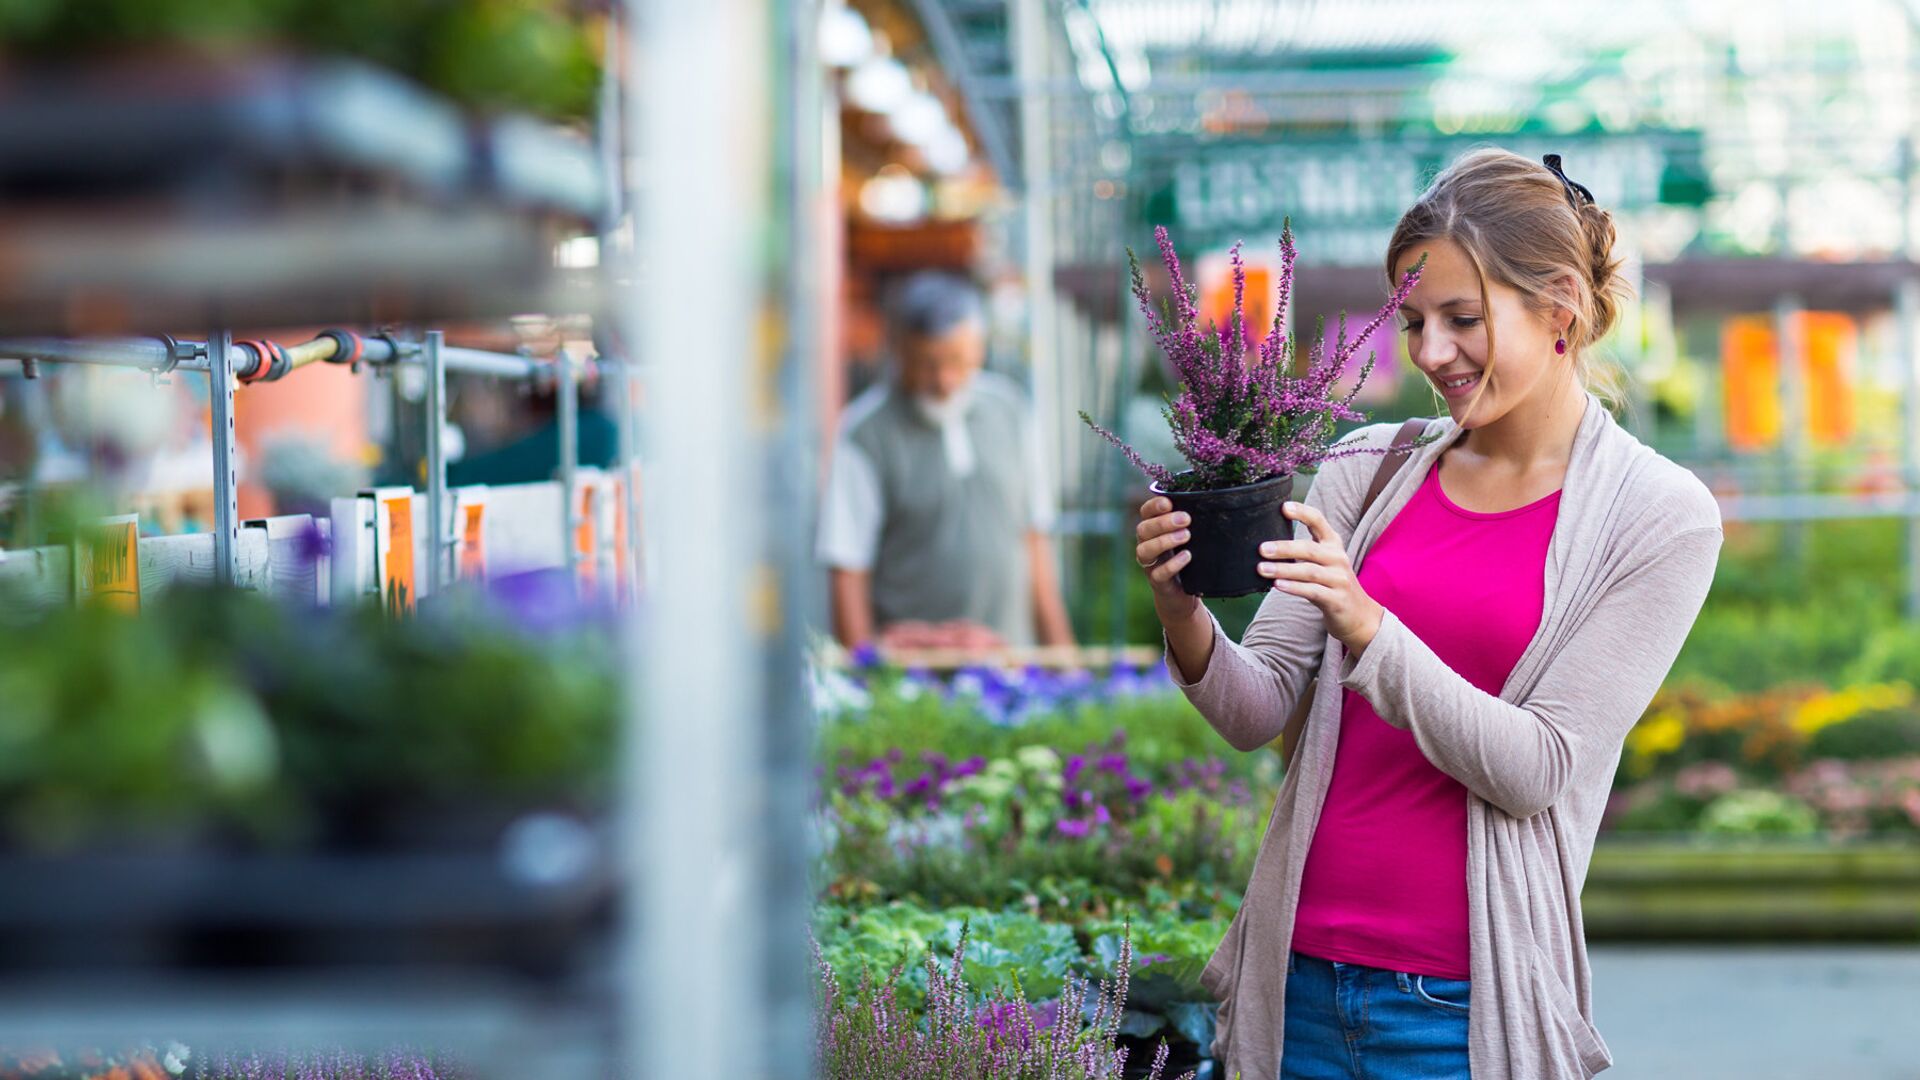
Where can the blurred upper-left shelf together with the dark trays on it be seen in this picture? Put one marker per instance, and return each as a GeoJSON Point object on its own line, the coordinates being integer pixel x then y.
{"type": "Point", "coordinates": [181, 193]}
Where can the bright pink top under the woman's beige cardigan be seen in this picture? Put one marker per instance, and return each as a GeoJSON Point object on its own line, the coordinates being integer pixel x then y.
{"type": "Point", "coordinates": [1387, 873]}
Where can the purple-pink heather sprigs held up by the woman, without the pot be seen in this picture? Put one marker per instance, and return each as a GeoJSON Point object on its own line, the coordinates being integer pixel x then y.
{"type": "Point", "coordinates": [1245, 416]}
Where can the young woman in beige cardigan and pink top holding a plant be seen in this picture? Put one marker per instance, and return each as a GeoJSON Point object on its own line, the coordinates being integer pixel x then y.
{"type": "Point", "coordinates": [1485, 637]}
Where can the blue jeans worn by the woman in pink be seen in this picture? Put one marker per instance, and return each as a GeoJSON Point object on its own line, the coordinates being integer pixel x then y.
{"type": "Point", "coordinates": [1366, 1023]}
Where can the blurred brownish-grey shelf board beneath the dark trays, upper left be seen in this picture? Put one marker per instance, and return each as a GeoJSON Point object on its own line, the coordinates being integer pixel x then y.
{"type": "Point", "coordinates": [97, 274]}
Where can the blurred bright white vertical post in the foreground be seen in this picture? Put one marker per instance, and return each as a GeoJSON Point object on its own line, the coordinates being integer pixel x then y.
{"type": "Point", "coordinates": [692, 770]}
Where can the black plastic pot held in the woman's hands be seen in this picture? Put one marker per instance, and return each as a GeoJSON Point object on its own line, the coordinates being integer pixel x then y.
{"type": "Point", "coordinates": [1228, 529]}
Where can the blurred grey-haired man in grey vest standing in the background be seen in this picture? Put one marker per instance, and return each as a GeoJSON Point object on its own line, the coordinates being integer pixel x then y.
{"type": "Point", "coordinates": [938, 512]}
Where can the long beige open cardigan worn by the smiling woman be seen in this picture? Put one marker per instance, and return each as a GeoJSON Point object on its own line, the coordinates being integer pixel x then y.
{"type": "Point", "coordinates": [1629, 566]}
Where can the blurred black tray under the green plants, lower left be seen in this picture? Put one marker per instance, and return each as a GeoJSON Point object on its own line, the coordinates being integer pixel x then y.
{"type": "Point", "coordinates": [208, 914]}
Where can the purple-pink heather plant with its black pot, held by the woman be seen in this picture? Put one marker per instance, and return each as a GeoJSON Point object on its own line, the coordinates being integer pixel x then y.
{"type": "Point", "coordinates": [1247, 420]}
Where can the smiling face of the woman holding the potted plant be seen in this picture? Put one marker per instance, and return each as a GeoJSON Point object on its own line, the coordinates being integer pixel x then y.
{"type": "Point", "coordinates": [1451, 341]}
